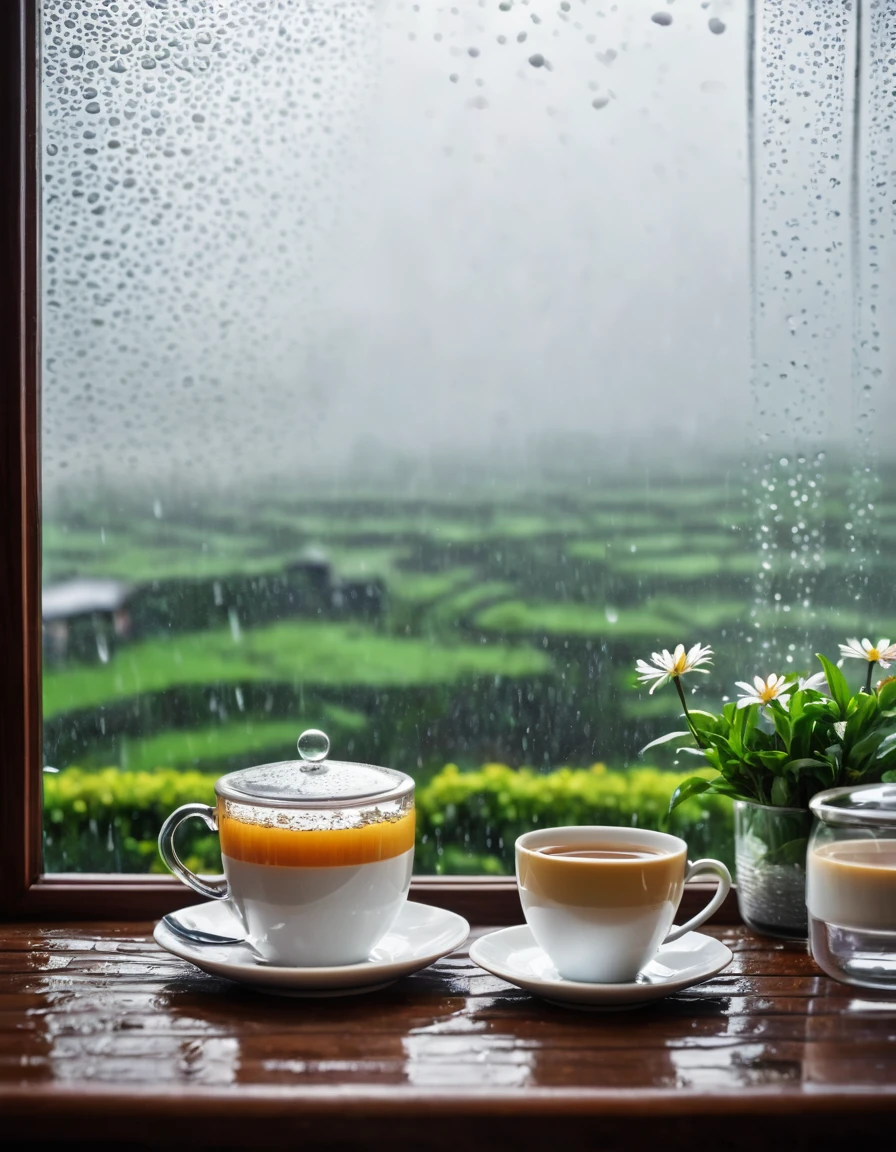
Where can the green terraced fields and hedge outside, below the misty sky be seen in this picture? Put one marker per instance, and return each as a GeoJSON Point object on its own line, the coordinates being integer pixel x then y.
{"type": "Point", "coordinates": [485, 646]}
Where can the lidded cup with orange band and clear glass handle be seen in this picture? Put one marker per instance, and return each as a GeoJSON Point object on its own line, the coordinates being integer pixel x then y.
{"type": "Point", "coordinates": [317, 854]}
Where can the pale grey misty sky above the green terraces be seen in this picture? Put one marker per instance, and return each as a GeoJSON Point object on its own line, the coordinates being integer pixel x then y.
{"type": "Point", "coordinates": [314, 240]}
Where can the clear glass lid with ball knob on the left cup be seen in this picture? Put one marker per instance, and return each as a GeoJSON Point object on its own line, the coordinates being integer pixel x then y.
{"type": "Point", "coordinates": [315, 780]}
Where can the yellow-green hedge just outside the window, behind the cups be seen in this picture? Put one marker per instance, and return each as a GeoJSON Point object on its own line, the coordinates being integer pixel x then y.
{"type": "Point", "coordinates": [467, 822]}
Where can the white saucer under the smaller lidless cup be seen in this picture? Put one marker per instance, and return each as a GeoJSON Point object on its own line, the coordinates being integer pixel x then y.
{"type": "Point", "coordinates": [513, 956]}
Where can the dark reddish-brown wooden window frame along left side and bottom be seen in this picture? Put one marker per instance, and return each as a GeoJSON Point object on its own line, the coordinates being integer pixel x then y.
{"type": "Point", "coordinates": [26, 891]}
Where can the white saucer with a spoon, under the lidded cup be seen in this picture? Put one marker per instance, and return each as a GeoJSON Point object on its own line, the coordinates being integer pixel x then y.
{"type": "Point", "coordinates": [419, 938]}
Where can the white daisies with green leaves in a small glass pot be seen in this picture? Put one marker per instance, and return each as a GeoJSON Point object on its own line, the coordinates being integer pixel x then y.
{"type": "Point", "coordinates": [780, 742]}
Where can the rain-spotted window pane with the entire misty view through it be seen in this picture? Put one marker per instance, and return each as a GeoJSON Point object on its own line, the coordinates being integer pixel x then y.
{"type": "Point", "coordinates": [398, 382]}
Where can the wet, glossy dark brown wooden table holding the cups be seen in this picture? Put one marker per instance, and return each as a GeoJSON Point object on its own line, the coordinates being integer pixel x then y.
{"type": "Point", "coordinates": [107, 1040]}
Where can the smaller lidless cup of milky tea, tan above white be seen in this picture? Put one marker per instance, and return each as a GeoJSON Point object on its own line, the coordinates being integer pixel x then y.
{"type": "Point", "coordinates": [603, 921]}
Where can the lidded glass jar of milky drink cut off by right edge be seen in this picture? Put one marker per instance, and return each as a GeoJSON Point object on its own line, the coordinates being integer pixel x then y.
{"type": "Point", "coordinates": [852, 885]}
